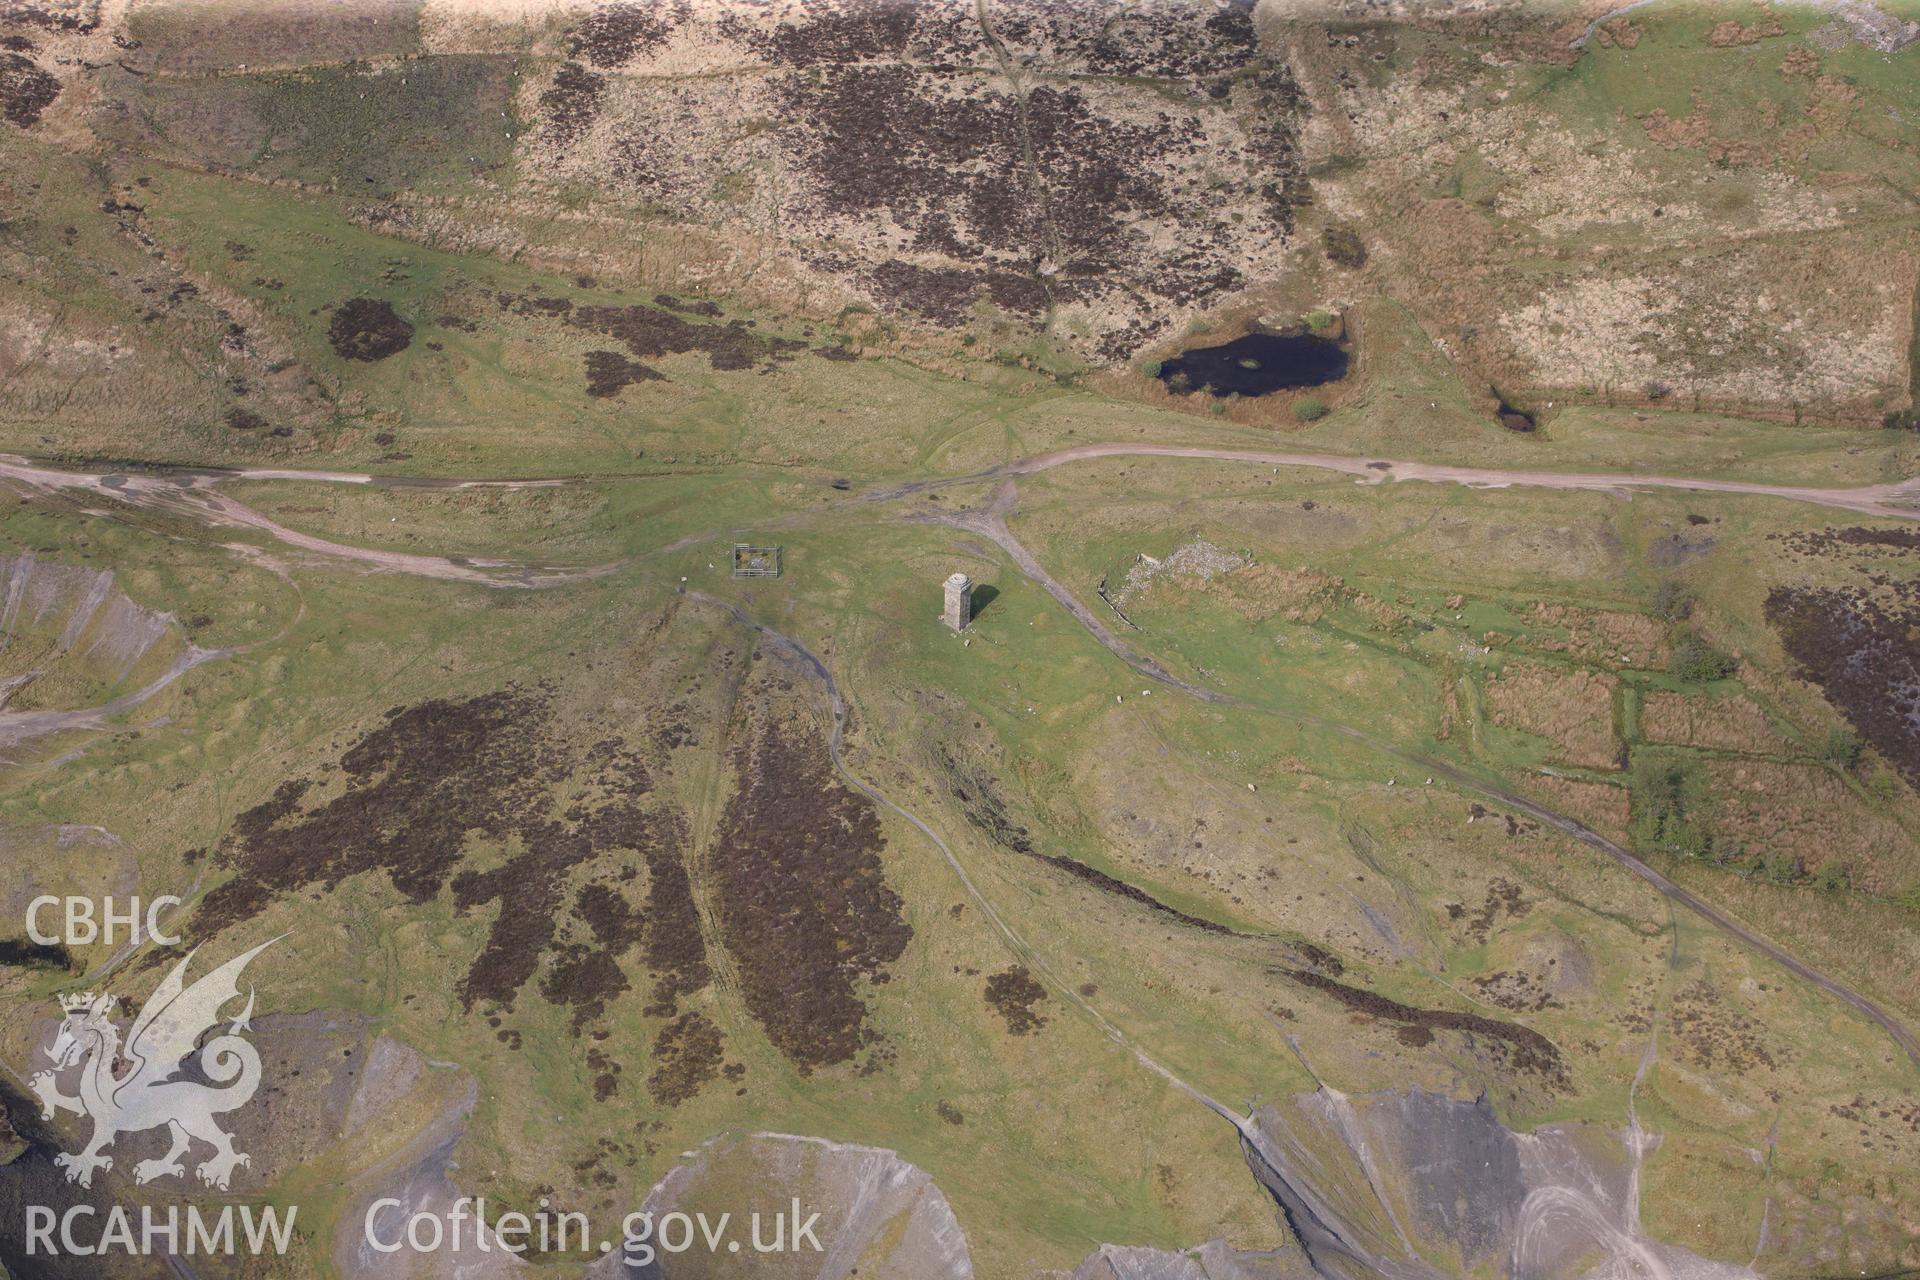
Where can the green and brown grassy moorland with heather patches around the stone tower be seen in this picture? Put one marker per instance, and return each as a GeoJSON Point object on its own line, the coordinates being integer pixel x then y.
{"type": "Point", "coordinates": [585, 851]}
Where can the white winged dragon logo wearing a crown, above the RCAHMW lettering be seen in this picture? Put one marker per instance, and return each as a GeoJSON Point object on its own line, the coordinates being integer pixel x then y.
{"type": "Point", "coordinates": [149, 1095]}
